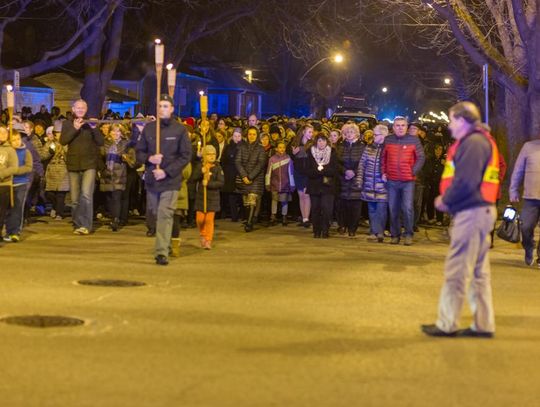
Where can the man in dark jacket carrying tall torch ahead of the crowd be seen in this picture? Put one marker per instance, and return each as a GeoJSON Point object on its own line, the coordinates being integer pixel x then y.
{"type": "Point", "coordinates": [163, 172]}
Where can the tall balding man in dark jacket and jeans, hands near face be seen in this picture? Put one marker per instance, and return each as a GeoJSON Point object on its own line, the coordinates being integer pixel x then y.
{"type": "Point", "coordinates": [83, 140]}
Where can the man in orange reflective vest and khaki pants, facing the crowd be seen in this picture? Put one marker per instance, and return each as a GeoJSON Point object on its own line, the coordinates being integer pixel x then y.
{"type": "Point", "coordinates": [469, 189]}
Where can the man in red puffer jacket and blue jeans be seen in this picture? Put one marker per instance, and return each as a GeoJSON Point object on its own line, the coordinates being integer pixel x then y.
{"type": "Point", "coordinates": [403, 157]}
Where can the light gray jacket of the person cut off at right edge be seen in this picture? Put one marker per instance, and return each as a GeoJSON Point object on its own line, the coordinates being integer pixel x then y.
{"type": "Point", "coordinates": [527, 169]}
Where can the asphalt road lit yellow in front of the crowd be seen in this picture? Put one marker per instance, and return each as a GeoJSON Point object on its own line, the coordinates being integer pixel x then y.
{"type": "Point", "coordinates": [270, 318]}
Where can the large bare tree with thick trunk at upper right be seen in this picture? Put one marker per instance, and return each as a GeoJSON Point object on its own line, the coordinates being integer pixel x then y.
{"type": "Point", "coordinates": [502, 33]}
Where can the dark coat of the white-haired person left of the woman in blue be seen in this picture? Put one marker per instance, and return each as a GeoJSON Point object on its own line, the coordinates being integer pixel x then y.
{"type": "Point", "coordinates": [349, 155]}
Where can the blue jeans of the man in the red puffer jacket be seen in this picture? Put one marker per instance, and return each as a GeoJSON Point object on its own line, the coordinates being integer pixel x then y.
{"type": "Point", "coordinates": [400, 201]}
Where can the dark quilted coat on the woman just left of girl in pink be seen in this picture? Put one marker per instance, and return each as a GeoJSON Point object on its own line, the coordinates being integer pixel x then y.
{"type": "Point", "coordinates": [251, 162]}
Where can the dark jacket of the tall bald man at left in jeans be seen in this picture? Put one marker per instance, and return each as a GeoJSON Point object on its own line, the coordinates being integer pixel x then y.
{"type": "Point", "coordinates": [83, 146]}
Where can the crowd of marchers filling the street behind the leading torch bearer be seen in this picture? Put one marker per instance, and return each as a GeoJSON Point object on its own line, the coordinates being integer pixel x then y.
{"type": "Point", "coordinates": [326, 177]}
